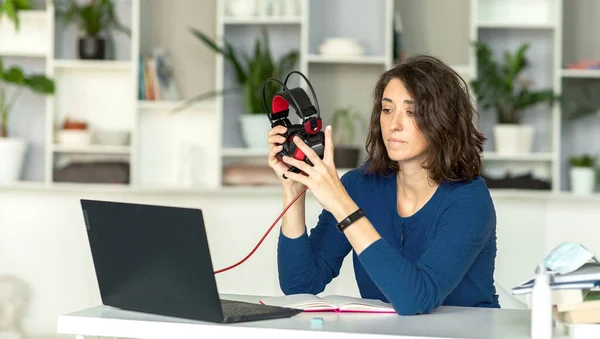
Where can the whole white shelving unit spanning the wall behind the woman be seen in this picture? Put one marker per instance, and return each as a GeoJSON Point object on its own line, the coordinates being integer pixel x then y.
{"type": "Point", "coordinates": [104, 93]}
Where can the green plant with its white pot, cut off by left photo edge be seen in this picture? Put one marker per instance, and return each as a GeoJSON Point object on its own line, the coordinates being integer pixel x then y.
{"type": "Point", "coordinates": [12, 149]}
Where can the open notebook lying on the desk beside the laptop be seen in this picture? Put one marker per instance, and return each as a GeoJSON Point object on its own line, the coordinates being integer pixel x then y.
{"type": "Point", "coordinates": [332, 303]}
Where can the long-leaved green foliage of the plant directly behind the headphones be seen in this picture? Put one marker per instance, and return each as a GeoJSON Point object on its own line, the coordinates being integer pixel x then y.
{"type": "Point", "coordinates": [251, 71]}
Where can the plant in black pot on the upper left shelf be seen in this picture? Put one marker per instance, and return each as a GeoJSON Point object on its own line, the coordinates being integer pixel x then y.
{"type": "Point", "coordinates": [96, 20]}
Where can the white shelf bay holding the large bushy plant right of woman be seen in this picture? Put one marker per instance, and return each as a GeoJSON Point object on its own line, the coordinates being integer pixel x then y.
{"type": "Point", "coordinates": [505, 25]}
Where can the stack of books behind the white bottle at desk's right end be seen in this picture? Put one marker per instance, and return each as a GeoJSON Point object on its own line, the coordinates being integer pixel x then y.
{"type": "Point", "coordinates": [575, 299]}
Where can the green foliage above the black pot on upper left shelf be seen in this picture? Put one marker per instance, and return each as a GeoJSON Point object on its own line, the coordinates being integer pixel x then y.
{"type": "Point", "coordinates": [93, 17]}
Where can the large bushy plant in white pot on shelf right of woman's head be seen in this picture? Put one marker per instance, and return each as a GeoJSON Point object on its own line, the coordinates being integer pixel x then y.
{"type": "Point", "coordinates": [500, 87]}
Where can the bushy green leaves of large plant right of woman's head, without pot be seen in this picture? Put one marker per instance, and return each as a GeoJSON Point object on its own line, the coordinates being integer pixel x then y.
{"type": "Point", "coordinates": [500, 87]}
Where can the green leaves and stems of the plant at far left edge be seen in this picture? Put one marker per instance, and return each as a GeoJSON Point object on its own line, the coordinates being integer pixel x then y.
{"type": "Point", "coordinates": [15, 76]}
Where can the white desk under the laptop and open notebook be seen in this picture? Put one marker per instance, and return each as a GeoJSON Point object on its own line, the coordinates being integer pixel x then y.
{"type": "Point", "coordinates": [443, 323]}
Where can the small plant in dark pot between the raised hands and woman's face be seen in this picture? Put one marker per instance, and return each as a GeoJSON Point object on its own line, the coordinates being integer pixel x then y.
{"type": "Point", "coordinates": [344, 120]}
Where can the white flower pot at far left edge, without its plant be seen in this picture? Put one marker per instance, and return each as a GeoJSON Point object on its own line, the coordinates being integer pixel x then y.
{"type": "Point", "coordinates": [12, 154]}
